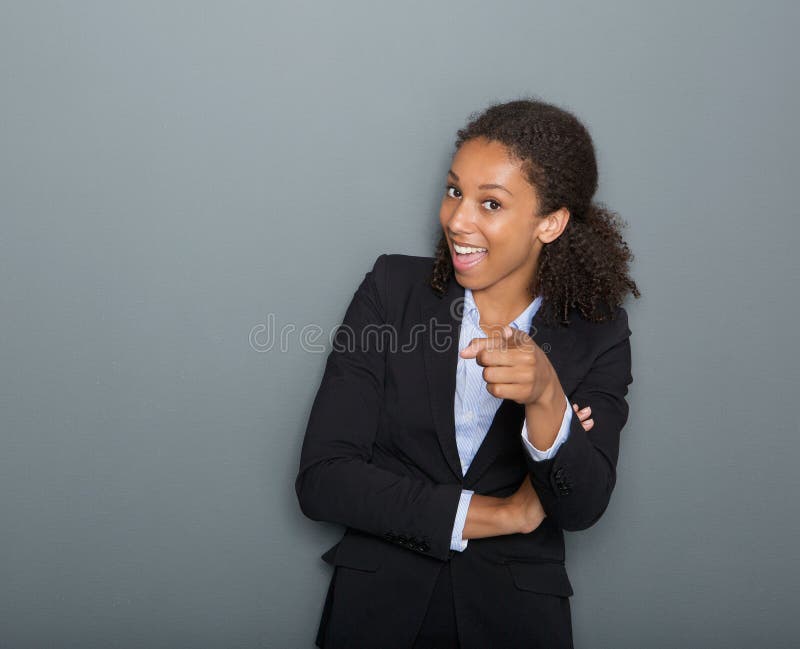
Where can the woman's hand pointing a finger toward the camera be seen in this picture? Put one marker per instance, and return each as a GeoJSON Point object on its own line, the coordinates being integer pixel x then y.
{"type": "Point", "coordinates": [515, 367]}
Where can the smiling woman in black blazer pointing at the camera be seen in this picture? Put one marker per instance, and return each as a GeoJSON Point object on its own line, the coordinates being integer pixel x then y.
{"type": "Point", "coordinates": [451, 433]}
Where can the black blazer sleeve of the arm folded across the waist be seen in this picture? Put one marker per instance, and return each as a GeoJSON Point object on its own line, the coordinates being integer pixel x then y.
{"type": "Point", "coordinates": [337, 481]}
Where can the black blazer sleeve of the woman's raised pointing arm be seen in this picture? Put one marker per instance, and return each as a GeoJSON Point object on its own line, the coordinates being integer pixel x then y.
{"type": "Point", "coordinates": [575, 485]}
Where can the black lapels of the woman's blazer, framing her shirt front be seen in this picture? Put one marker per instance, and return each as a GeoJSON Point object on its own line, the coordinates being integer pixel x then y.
{"type": "Point", "coordinates": [441, 317]}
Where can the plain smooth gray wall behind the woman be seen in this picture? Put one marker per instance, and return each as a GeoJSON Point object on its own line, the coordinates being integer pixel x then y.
{"type": "Point", "coordinates": [173, 173]}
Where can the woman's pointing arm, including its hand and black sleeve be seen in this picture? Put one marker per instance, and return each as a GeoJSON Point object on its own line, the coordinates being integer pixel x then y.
{"type": "Point", "coordinates": [575, 484]}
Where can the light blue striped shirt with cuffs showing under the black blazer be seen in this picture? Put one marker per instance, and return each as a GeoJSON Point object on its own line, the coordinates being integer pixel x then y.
{"type": "Point", "coordinates": [475, 406]}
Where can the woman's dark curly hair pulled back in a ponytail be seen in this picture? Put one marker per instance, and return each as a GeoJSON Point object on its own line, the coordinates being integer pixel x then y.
{"type": "Point", "coordinates": [587, 265]}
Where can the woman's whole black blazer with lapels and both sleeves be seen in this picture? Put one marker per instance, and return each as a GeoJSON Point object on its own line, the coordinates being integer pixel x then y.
{"type": "Point", "coordinates": [380, 457]}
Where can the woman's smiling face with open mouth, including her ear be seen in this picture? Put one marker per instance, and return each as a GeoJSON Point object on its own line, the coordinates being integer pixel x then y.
{"type": "Point", "coordinates": [489, 204]}
